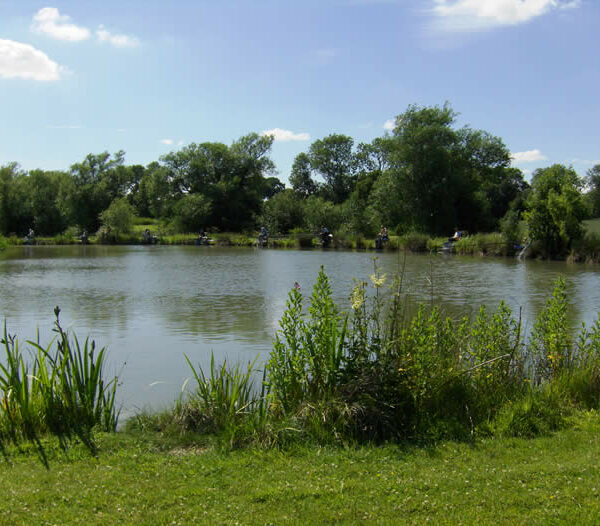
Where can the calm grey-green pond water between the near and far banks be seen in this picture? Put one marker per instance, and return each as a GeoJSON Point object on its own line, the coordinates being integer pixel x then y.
{"type": "Point", "coordinates": [152, 305]}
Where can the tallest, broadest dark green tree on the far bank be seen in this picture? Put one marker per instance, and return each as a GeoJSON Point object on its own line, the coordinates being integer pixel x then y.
{"type": "Point", "coordinates": [437, 177]}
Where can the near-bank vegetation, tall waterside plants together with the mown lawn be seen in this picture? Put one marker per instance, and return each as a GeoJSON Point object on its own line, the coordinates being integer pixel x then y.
{"type": "Point", "coordinates": [357, 416]}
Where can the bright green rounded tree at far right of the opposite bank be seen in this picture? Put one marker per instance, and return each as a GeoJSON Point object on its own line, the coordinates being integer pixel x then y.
{"type": "Point", "coordinates": [555, 208]}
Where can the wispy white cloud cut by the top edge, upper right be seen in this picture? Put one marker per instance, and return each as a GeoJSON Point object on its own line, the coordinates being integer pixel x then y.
{"type": "Point", "coordinates": [473, 15]}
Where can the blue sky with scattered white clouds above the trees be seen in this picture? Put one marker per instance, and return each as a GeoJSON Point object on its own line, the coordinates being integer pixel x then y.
{"type": "Point", "coordinates": [148, 76]}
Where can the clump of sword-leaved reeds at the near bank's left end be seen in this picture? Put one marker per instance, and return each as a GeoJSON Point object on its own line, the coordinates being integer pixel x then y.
{"type": "Point", "coordinates": [62, 391]}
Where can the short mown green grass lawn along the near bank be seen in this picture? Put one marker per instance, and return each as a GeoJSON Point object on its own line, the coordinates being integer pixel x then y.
{"type": "Point", "coordinates": [134, 481]}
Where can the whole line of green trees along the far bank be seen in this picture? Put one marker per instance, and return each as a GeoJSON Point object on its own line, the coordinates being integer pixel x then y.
{"type": "Point", "coordinates": [425, 176]}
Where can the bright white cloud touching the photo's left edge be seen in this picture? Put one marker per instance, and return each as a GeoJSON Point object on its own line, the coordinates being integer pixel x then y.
{"type": "Point", "coordinates": [19, 60]}
